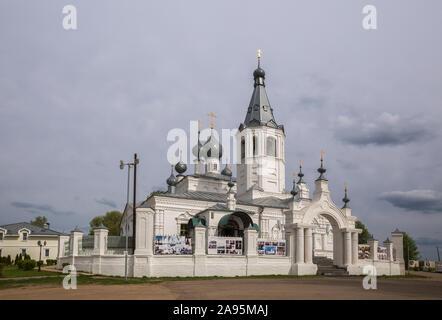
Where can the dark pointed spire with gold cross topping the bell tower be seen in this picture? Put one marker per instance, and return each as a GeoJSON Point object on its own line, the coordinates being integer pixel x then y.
{"type": "Point", "coordinates": [259, 113]}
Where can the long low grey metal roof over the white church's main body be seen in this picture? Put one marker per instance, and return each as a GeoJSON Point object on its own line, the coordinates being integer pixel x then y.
{"type": "Point", "coordinates": [221, 197]}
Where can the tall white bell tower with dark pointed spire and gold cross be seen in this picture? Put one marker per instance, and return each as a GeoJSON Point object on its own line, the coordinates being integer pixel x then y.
{"type": "Point", "coordinates": [260, 143]}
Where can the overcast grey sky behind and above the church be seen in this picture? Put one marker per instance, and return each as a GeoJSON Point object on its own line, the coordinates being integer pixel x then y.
{"type": "Point", "coordinates": [73, 103]}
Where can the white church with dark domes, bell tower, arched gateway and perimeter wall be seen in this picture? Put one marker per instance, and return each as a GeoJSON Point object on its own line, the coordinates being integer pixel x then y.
{"type": "Point", "coordinates": [210, 223]}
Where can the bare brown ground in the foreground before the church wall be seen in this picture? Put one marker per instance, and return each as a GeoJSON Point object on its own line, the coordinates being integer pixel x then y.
{"type": "Point", "coordinates": [219, 289]}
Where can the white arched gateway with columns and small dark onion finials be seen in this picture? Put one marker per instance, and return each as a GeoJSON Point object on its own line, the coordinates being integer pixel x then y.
{"type": "Point", "coordinates": [300, 223]}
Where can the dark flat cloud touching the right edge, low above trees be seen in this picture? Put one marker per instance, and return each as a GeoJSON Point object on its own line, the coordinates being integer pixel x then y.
{"type": "Point", "coordinates": [425, 201]}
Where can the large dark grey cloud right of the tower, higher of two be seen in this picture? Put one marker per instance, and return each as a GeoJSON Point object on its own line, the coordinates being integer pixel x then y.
{"type": "Point", "coordinates": [386, 130]}
